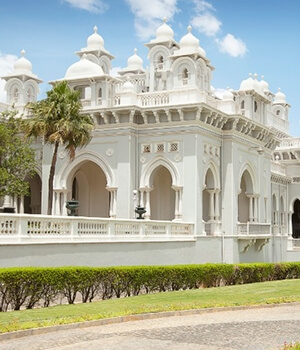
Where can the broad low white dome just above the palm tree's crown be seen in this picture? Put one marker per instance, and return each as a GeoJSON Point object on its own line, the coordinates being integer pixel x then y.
{"type": "Point", "coordinates": [83, 69]}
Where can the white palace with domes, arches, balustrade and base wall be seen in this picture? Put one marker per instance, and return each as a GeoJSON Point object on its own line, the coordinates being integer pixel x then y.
{"type": "Point", "coordinates": [218, 175]}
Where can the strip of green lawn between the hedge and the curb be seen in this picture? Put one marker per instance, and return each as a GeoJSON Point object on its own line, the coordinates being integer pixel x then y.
{"type": "Point", "coordinates": [250, 294]}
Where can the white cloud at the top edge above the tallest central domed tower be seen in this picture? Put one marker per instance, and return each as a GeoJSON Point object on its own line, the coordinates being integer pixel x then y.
{"type": "Point", "coordinates": [148, 15]}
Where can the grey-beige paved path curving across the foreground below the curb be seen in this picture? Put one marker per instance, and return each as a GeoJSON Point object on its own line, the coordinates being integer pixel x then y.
{"type": "Point", "coordinates": [250, 329]}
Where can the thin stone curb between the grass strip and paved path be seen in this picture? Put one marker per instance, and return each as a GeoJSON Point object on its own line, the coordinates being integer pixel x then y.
{"type": "Point", "coordinates": [138, 317]}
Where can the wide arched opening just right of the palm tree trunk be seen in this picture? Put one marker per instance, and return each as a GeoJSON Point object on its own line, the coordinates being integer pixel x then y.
{"type": "Point", "coordinates": [89, 188]}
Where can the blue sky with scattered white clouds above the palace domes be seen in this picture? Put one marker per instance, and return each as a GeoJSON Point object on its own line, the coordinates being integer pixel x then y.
{"type": "Point", "coordinates": [239, 37]}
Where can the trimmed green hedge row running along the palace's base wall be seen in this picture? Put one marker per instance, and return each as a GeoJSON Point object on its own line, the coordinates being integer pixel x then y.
{"type": "Point", "coordinates": [30, 287]}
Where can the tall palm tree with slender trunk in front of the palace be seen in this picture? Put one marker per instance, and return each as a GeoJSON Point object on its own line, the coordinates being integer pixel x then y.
{"type": "Point", "coordinates": [58, 120]}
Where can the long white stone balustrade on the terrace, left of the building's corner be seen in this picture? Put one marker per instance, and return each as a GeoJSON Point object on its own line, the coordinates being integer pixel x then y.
{"type": "Point", "coordinates": [19, 228]}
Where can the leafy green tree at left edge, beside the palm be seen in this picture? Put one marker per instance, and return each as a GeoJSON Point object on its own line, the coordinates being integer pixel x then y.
{"type": "Point", "coordinates": [17, 158]}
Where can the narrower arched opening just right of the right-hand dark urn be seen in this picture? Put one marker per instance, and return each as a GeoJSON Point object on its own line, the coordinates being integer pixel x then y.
{"type": "Point", "coordinates": [162, 197]}
